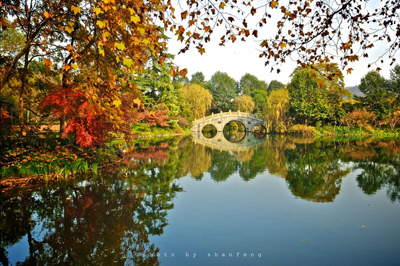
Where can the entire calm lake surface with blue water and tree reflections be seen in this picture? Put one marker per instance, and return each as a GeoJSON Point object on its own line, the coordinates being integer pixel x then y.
{"type": "Point", "coordinates": [271, 201]}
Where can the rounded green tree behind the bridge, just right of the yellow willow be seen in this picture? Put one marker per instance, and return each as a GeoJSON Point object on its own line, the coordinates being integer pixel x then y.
{"type": "Point", "coordinates": [223, 89]}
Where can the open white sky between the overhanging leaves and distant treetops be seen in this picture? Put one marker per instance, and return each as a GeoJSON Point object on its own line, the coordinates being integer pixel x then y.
{"type": "Point", "coordinates": [239, 58]}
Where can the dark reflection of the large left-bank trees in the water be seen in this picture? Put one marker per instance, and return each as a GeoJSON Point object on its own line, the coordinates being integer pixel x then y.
{"type": "Point", "coordinates": [102, 221]}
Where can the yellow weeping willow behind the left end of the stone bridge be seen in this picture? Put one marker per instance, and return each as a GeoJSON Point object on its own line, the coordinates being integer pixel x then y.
{"type": "Point", "coordinates": [197, 98]}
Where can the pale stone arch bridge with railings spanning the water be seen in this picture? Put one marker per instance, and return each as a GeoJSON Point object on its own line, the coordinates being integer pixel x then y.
{"type": "Point", "coordinates": [220, 120]}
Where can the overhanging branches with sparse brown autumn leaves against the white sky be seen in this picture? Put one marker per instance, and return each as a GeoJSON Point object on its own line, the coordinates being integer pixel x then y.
{"type": "Point", "coordinates": [307, 32]}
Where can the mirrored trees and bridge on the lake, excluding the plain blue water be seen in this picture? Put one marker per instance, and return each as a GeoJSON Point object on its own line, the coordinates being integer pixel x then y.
{"type": "Point", "coordinates": [109, 219]}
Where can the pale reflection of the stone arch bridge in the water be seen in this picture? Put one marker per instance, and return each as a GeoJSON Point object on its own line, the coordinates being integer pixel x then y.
{"type": "Point", "coordinates": [234, 143]}
